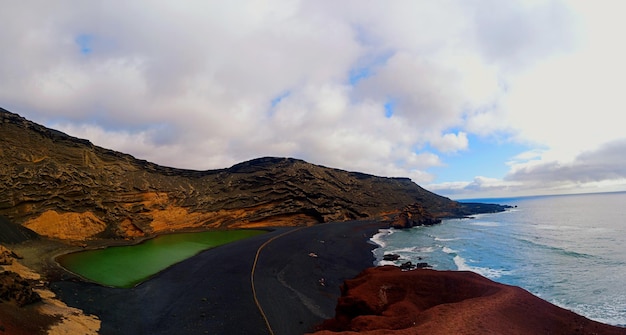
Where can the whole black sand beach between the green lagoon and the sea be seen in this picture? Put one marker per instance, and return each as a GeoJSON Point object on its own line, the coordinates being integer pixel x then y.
{"type": "Point", "coordinates": [297, 279]}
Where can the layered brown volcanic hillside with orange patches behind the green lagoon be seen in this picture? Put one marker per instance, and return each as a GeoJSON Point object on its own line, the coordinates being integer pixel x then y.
{"type": "Point", "coordinates": [64, 187]}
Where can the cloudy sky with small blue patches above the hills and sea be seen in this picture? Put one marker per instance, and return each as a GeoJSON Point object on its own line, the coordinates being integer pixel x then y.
{"type": "Point", "coordinates": [468, 98]}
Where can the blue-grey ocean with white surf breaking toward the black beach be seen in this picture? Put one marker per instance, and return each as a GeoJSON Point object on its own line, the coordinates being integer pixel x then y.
{"type": "Point", "coordinates": [569, 249]}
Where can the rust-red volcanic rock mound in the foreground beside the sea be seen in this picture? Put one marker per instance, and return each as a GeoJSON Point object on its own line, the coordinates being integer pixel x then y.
{"type": "Point", "coordinates": [386, 300]}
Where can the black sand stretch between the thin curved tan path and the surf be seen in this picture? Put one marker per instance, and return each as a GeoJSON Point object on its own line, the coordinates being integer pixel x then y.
{"type": "Point", "coordinates": [301, 274]}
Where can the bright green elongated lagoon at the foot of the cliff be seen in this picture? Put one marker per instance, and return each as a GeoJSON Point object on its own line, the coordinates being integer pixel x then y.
{"type": "Point", "coordinates": [126, 266]}
